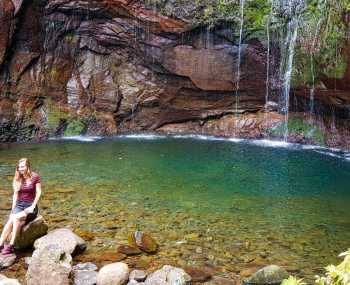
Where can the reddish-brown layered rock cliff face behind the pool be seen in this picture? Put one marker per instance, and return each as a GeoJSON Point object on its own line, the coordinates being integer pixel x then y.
{"type": "Point", "coordinates": [113, 66]}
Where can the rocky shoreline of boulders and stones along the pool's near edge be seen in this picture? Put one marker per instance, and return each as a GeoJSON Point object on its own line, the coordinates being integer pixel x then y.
{"type": "Point", "coordinates": [54, 252]}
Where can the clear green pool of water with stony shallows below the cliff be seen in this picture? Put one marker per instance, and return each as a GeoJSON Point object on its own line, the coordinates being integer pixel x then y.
{"type": "Point", "coordinates": [229, 205]}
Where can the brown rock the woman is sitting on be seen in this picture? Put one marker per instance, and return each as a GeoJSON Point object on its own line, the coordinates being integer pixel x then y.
{"type": "Point", "coordinates": [31, 232]}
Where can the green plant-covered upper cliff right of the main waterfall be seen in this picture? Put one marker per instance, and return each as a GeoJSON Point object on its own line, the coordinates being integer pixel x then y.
{"type": "Point", "coordinates": [321, 41]}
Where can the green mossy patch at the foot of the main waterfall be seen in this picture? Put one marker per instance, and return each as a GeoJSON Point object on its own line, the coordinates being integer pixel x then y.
{"type": "Point", "coordinates": [297, 126]}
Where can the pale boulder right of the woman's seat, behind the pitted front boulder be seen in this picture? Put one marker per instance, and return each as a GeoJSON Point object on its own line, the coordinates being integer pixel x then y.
{"type": "Point", "coordinates": [65, 238]}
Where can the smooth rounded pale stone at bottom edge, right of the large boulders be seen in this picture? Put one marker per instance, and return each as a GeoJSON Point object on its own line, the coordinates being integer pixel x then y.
{"type": "Point", "coordinates": [113, 274]}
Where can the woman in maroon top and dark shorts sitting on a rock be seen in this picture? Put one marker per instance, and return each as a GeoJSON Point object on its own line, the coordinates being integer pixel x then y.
{"type": "Point", "coordinates": [27, 191]}
